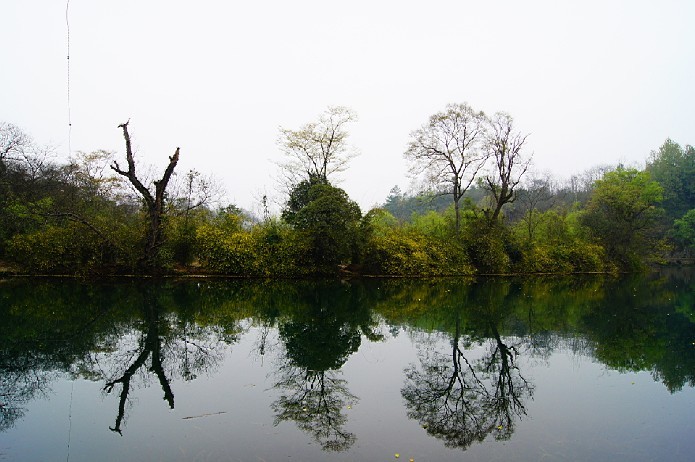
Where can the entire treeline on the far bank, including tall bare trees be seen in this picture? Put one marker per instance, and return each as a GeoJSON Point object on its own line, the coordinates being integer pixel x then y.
{"type": "Point", "coordinates": [481, 210]}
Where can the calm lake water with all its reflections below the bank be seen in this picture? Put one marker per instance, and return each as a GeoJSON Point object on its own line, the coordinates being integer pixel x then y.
{"type": "Point", "coordinates": [530, 369]}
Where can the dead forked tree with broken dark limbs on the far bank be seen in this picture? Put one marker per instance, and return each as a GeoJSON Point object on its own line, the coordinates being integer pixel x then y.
{"type": "Point", "coordinates": [155, 204]}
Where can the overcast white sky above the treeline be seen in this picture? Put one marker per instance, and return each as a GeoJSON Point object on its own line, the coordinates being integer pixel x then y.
{"type": "Point", "coordinates": [593, 82]}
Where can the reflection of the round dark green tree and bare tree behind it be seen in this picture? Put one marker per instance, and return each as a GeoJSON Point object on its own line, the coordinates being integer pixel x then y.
{"type": "Point", "coordinates": [318, 341]}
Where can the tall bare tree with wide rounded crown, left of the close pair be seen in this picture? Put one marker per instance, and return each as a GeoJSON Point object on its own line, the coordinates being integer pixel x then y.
{"type": "Point", "coordinates": [447, 150]}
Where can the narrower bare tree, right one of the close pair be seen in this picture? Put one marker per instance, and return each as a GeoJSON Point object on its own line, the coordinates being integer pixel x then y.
{"type": "Point", "coordinates": [504, 146]}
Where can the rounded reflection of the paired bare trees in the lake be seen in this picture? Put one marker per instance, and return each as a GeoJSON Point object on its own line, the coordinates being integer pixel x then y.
{"type": "Point", "coordinates": [462, 400]}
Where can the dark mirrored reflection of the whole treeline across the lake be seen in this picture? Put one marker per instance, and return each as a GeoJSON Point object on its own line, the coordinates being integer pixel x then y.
{"type": "Point", "coordinates": [128, 336]}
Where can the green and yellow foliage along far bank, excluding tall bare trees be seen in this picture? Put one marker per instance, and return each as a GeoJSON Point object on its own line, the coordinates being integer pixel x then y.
{"type": "Point", "coordinates": [43, 206]}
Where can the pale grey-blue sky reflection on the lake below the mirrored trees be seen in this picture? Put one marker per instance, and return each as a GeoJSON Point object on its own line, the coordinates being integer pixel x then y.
{"type": "Point", "coordinates": [580, 408]}
